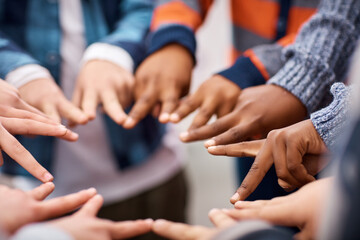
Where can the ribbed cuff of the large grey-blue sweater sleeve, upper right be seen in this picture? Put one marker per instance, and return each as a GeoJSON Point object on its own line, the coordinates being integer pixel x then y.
{"type": "Point", "coordinates": [305, 77]}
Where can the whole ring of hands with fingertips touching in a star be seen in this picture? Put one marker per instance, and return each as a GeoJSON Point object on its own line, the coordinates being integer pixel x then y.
{"type": "Point", "coordinates": [243, 117]}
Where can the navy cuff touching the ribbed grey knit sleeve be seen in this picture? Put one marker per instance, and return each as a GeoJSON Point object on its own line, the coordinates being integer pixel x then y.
{"type": "Point", "coordinates": [244, 73]}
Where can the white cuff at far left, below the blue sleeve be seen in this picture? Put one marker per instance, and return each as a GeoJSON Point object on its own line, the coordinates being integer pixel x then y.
{"type": "Point", "coordinates": [25, 74]}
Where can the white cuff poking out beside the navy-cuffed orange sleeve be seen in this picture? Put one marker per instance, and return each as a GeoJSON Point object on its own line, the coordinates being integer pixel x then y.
{"type": "Point", "coordinates": [111, 53]}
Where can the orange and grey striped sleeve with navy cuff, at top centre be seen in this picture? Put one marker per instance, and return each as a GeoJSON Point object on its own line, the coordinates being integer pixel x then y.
{"type": "Point", "coordinates": [176, 21]}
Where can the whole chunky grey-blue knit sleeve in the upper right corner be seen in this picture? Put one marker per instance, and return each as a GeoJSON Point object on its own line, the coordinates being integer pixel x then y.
{"type": "Point", "coordinates": [321, 52]}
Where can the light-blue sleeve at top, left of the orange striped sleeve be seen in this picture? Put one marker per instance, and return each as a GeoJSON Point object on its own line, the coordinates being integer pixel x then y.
{"type": "Point", "coordinates": [131, 29]}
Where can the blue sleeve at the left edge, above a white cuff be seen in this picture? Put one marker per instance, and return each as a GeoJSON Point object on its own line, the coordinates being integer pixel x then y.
{"type": "Point", "coordinates": [12, 56]}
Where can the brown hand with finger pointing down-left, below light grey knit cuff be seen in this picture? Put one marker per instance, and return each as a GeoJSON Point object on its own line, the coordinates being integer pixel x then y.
{"type": "Point", "coordinates": [296, 153]}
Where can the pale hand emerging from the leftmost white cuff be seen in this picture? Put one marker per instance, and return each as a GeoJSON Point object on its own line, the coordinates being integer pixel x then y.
{"type": "Point", "coordinates": [46, 96]}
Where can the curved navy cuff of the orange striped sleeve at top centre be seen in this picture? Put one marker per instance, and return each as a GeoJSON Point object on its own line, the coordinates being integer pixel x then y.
{"type": "Point", "coordinates": [173, 34]}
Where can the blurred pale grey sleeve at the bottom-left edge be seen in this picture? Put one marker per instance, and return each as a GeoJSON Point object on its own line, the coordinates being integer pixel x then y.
{"type": "Point", "coordinates": [40, 232]}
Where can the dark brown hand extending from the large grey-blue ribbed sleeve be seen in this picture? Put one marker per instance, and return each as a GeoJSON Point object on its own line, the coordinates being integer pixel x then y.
{"type": "Point", "coordinates": [259, 110]}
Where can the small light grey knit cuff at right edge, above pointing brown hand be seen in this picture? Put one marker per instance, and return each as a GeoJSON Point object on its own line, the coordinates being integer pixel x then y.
{"type": "Point", "coordinates": [329, 121]}
